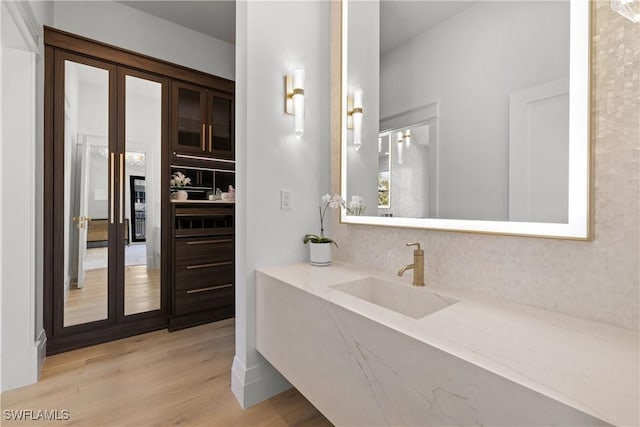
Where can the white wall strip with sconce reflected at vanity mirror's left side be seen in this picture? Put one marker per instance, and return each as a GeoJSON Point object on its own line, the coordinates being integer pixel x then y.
{"type": "Point", "coordinates": [363, 66]}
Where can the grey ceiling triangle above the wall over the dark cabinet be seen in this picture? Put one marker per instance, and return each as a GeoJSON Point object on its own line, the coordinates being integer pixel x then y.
{"type": "Point", "coordinates": [214, 18]}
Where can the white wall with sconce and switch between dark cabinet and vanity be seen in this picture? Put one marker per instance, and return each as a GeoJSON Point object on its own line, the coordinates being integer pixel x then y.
{"type": "Point", "coordinates": [272, 39]}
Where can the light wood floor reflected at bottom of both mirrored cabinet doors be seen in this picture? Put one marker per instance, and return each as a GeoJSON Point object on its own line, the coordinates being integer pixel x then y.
{"type": "Point", "coordinates": [89, 303]}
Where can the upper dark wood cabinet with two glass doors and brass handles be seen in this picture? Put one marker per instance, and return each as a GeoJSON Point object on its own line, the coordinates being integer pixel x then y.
{"type": "Point", "coordinates": [202, 122]}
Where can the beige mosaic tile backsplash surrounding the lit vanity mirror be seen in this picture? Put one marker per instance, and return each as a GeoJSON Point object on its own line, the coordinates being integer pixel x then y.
{"type": "Point", "coordinates": [598, 280]}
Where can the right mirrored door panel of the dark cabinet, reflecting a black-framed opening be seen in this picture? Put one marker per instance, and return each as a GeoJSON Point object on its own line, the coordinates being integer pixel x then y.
{"type": "Point", "coordinates": [143, 118]}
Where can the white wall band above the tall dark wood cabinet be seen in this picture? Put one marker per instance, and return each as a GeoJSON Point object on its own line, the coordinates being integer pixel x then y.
{"type": "Point", "coordinates": [123, 26]}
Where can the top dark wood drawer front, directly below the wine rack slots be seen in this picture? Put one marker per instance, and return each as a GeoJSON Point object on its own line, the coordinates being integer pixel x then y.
{"type": "Point", "coordinates": [203, 250]}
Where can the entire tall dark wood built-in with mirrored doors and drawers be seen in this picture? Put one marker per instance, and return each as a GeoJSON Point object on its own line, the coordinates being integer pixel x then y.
{"type": "Point", "coordinates": [181, 272]}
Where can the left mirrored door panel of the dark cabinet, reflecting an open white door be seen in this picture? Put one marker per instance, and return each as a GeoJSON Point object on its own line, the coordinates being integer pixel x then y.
{"type": "Point", "coordinates": [86, 180]}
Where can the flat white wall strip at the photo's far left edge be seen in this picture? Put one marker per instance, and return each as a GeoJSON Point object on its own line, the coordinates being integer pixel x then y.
{"type": "Point", "coordinates": [16, 226]}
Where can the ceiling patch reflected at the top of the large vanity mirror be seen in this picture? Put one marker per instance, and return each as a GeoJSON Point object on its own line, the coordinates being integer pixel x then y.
{"type": "Point", "coordinates": [401, 21]}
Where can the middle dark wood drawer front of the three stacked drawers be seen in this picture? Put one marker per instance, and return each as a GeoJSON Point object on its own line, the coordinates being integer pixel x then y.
{"type": "Point", "coordinates": [197, 276]}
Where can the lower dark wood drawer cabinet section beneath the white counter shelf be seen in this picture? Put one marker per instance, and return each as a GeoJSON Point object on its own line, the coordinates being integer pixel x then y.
{"type": "Point", "coordinates": [203, 286]}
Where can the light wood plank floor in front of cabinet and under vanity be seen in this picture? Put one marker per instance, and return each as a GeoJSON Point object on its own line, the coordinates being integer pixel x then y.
{"type": "Point", "coordinates": [158, 379]}
